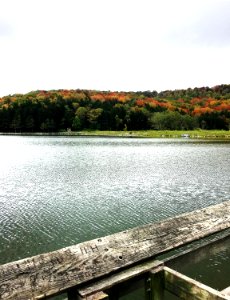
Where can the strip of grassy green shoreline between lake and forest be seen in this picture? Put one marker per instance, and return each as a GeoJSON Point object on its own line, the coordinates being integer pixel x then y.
{"type": "Point", "coordinates": [193, 134]}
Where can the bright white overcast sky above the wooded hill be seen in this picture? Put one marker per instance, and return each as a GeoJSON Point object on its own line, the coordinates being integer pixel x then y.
{"type": "Point", "coordinates": [129, 45]}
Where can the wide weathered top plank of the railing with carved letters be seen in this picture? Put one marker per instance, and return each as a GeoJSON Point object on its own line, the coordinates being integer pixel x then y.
{"type": "Point", "coordinates": [47, 274]}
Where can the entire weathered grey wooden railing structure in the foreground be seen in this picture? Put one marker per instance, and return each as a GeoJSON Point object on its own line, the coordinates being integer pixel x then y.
{"type": "Point", "coordinates": [95, 269]}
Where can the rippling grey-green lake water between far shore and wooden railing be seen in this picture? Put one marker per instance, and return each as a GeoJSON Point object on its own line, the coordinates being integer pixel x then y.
{"type": "Point", "coordinates": [59, 191]}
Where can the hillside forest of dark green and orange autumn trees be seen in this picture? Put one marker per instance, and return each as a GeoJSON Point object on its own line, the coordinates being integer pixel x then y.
{"type": "Point", "coordinates": [61, 110]}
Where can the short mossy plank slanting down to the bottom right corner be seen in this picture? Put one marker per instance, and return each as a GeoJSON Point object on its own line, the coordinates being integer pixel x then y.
{"type": "Point", "coordinates": [187, 288]}
